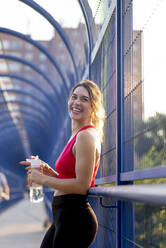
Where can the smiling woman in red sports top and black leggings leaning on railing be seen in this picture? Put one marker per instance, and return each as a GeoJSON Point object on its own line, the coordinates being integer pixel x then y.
{"type": "Point", "coordinates": [74, 222]}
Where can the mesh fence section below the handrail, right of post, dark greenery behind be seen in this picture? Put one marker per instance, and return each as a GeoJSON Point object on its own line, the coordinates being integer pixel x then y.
{"type": "Point", "coordinates": [150, 226]}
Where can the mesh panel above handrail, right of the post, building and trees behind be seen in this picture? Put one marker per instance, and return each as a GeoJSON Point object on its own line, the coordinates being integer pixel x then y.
{"type": "Point", "coordinates": [145, 117]}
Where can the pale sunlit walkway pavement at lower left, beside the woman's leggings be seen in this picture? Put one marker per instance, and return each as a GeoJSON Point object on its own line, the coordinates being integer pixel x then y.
{"type": "Point", "coordinates": [21, 226]}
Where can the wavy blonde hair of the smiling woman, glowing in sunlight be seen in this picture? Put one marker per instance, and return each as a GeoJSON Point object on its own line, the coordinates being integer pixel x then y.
{"type": "Point", "coordinates": [96, 98]}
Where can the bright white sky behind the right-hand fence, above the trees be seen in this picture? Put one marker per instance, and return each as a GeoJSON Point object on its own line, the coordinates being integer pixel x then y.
{"type": "Point", "coordinates": [150, 17]}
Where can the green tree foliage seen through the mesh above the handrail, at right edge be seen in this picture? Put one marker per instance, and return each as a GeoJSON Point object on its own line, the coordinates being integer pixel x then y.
{"type": "Point", "coordinates": [150, 144]}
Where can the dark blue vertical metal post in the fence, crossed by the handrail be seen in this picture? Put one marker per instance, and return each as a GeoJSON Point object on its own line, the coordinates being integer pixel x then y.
{"type": "Point", "coordinates": [119, 105]}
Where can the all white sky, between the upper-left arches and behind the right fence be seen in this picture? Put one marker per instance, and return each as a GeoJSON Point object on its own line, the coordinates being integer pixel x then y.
{"type": "Point", "coordinates": [149, 16]}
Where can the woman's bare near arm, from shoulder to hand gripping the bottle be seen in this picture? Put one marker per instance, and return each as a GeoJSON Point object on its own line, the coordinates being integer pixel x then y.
{"type": "Point", "coordinates": [85, 150]}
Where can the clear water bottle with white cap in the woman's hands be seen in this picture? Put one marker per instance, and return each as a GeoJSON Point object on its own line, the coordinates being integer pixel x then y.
{"type": "Point", "coordinates": [36, 190]}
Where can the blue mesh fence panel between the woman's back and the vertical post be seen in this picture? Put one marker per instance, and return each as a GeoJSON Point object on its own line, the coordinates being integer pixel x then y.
{"type": "Point", "coordinates": [104, 72]}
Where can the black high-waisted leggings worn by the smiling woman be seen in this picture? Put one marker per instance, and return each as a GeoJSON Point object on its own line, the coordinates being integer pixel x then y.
{"type": "Point", "coordinates": [74, 223]}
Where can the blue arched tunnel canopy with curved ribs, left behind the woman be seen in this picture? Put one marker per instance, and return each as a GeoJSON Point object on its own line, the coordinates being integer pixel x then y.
{"type": "Point", "coordinates": [35, 119]}
